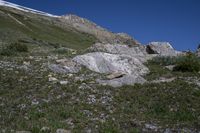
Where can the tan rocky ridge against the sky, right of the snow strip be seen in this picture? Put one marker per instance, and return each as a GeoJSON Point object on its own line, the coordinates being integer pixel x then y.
{"type": "Point", "coordinates": [103, 35]}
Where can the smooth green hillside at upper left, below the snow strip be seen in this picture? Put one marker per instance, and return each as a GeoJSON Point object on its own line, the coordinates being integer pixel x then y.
{"type": "Point", "coordinates": [15, 26]}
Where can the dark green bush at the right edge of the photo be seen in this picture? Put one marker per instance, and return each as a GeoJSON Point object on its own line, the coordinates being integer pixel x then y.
{"type": "Point", "coordinates": [189, 63]}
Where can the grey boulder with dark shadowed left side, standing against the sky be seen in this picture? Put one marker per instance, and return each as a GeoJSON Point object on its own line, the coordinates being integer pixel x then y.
{"type": "Point", "coordinates": [162, 49]}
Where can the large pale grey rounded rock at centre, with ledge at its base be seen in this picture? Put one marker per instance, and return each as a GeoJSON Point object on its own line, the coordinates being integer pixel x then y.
{"type": "Point", "coordinates": [131, 68]}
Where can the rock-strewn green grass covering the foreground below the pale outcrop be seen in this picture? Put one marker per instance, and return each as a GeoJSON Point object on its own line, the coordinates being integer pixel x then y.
{"type": "Point", "coordinates": [169, 105]}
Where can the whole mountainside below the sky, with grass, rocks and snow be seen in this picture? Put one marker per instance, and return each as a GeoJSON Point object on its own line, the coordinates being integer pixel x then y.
{"type": "Point", "coordinates": [48, 88]}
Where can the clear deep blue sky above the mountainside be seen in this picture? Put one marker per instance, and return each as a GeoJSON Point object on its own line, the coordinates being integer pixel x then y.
{"type": "Point", "coordinates": [175, 21]}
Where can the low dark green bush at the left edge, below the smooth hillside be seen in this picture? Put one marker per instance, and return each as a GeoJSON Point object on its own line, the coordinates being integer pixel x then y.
{"type": "Point", "coordinates": [13, 48]}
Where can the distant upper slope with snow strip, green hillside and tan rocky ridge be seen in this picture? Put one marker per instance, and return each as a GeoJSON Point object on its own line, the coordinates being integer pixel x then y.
{"type": "Point", "coordinates": [70, 31]}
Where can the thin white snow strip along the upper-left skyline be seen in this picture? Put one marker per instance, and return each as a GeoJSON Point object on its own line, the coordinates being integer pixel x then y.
{"type": "Point", "coordinates": [8, 4]}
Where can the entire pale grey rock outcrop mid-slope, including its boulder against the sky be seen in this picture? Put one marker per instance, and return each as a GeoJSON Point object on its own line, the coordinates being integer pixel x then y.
{"type": "Point", "coordinates": [123, 64]}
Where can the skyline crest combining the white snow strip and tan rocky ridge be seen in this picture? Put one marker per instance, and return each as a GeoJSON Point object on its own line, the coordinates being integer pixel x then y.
{"type": "Point", "coordinates": [78, 23]}
